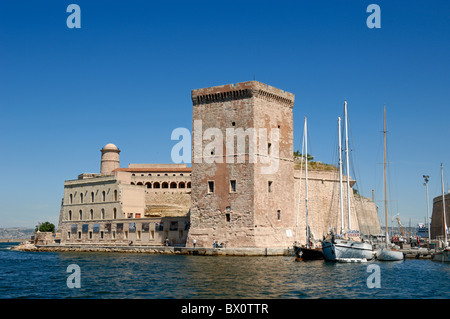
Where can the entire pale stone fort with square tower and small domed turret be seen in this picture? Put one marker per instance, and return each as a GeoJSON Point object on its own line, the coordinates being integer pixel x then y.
{"type": "Point", "coordinates": [216, 199]}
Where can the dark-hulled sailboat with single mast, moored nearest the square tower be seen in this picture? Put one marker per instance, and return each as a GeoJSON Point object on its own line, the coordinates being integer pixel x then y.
{"type": "Point", "coordinates": [308, 251]}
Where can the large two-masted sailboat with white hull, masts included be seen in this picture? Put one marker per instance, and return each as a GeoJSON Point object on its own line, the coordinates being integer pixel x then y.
{"type": "Point", "coordinates": [341, 248]}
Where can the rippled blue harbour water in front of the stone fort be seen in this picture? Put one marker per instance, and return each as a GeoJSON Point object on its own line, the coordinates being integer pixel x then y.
{"type": "Point", "coordinates": [130, 276]}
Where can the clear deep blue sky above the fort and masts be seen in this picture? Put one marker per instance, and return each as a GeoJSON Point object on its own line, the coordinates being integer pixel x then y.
{"type": "Point", "coordinates": [125, 78]}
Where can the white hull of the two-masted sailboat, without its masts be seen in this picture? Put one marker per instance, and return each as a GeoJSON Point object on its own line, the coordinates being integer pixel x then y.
{"type": "Point", "coordinates": [346, 249]}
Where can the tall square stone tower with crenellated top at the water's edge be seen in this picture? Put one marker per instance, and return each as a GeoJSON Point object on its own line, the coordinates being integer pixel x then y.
{"type": "Point", "coordinates": [242, 166]}
